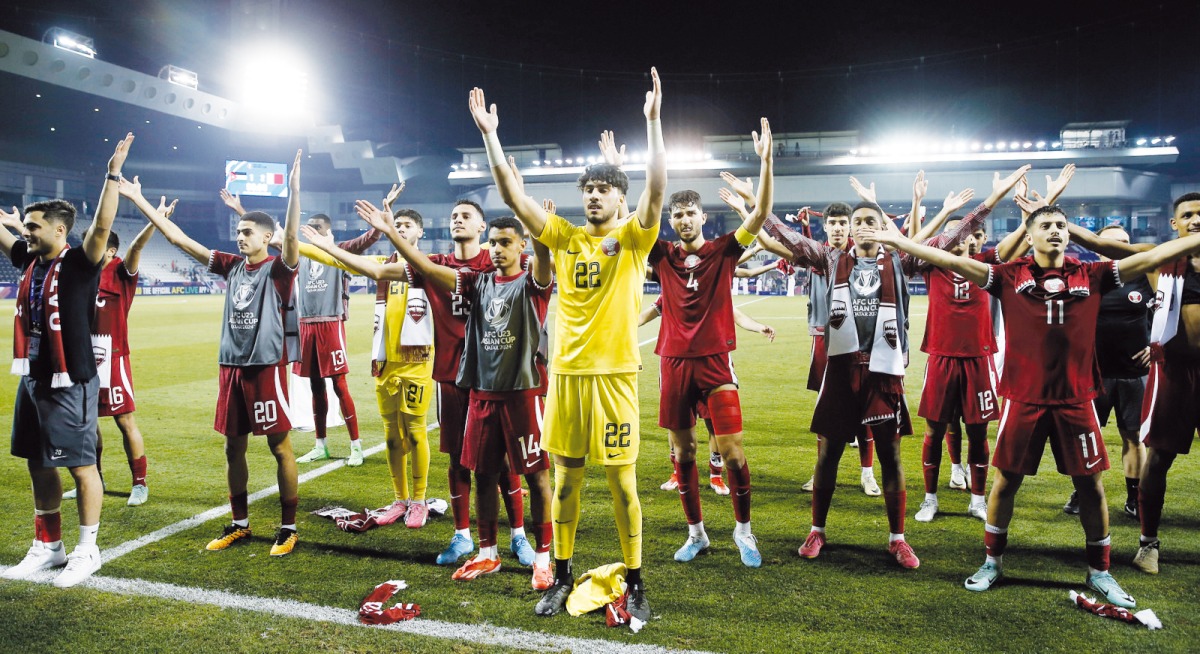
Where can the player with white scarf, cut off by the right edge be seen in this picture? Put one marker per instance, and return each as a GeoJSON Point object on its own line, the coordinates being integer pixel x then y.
{"type": "Point", "coordinates": [1169, 413]}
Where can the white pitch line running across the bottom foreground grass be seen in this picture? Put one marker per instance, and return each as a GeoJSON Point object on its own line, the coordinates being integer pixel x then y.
{"type": "Point", "coordinates": [477, 634]}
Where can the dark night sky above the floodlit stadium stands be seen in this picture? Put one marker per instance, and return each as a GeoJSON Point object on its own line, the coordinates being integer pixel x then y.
{"type": "Point", "coordinates": [399, 73]}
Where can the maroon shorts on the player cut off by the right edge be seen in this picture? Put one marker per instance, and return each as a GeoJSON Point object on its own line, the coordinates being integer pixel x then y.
{"type": "Point", "coordinates": [1171, 410]}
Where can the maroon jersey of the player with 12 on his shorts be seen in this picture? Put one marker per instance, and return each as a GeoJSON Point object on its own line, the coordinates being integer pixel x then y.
{"type": "Point", "coordinates": [959, 315]}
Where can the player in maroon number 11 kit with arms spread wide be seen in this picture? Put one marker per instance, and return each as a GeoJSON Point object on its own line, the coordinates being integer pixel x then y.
{"type": "Point", "coordinates": [1051, 305]}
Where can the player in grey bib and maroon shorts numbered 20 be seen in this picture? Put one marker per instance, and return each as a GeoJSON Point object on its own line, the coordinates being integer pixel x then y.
{"type": "Point", "coordinates": [257, 341]}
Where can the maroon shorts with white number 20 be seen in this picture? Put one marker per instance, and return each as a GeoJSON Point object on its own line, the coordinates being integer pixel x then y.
{"type": "Point", "coordinates": [253, 400]}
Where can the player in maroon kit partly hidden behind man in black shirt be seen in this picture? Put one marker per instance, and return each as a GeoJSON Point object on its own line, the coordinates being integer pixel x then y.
{"type": "Point", "coordinates": [111, 345]}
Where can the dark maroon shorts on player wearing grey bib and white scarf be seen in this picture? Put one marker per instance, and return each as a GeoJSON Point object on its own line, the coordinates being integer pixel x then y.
{"type": "Point", "coordinates": [854, 398]}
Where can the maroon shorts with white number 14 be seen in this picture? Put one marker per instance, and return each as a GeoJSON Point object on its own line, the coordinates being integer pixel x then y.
{"type": "Point", "coordinates": [505, 428]}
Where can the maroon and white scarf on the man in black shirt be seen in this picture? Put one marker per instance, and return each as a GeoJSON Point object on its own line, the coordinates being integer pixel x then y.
{"type": "Point", "coordinates": [52, 337]}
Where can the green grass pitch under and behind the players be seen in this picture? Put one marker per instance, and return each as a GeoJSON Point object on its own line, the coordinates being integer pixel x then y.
{"type": "Point", "coordinates": [853, 599]}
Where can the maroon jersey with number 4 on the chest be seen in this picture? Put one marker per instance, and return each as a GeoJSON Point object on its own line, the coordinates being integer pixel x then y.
{"type": "Point", "coordinates": [698, 307]}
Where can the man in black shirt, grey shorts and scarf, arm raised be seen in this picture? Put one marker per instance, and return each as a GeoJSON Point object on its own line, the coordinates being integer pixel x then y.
{"type": "Point", "coordinates": [55, 413]}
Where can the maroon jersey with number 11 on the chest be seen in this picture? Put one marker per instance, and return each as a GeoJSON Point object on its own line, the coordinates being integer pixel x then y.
{"type": "Point", "coordinates": [1051, 329]}
